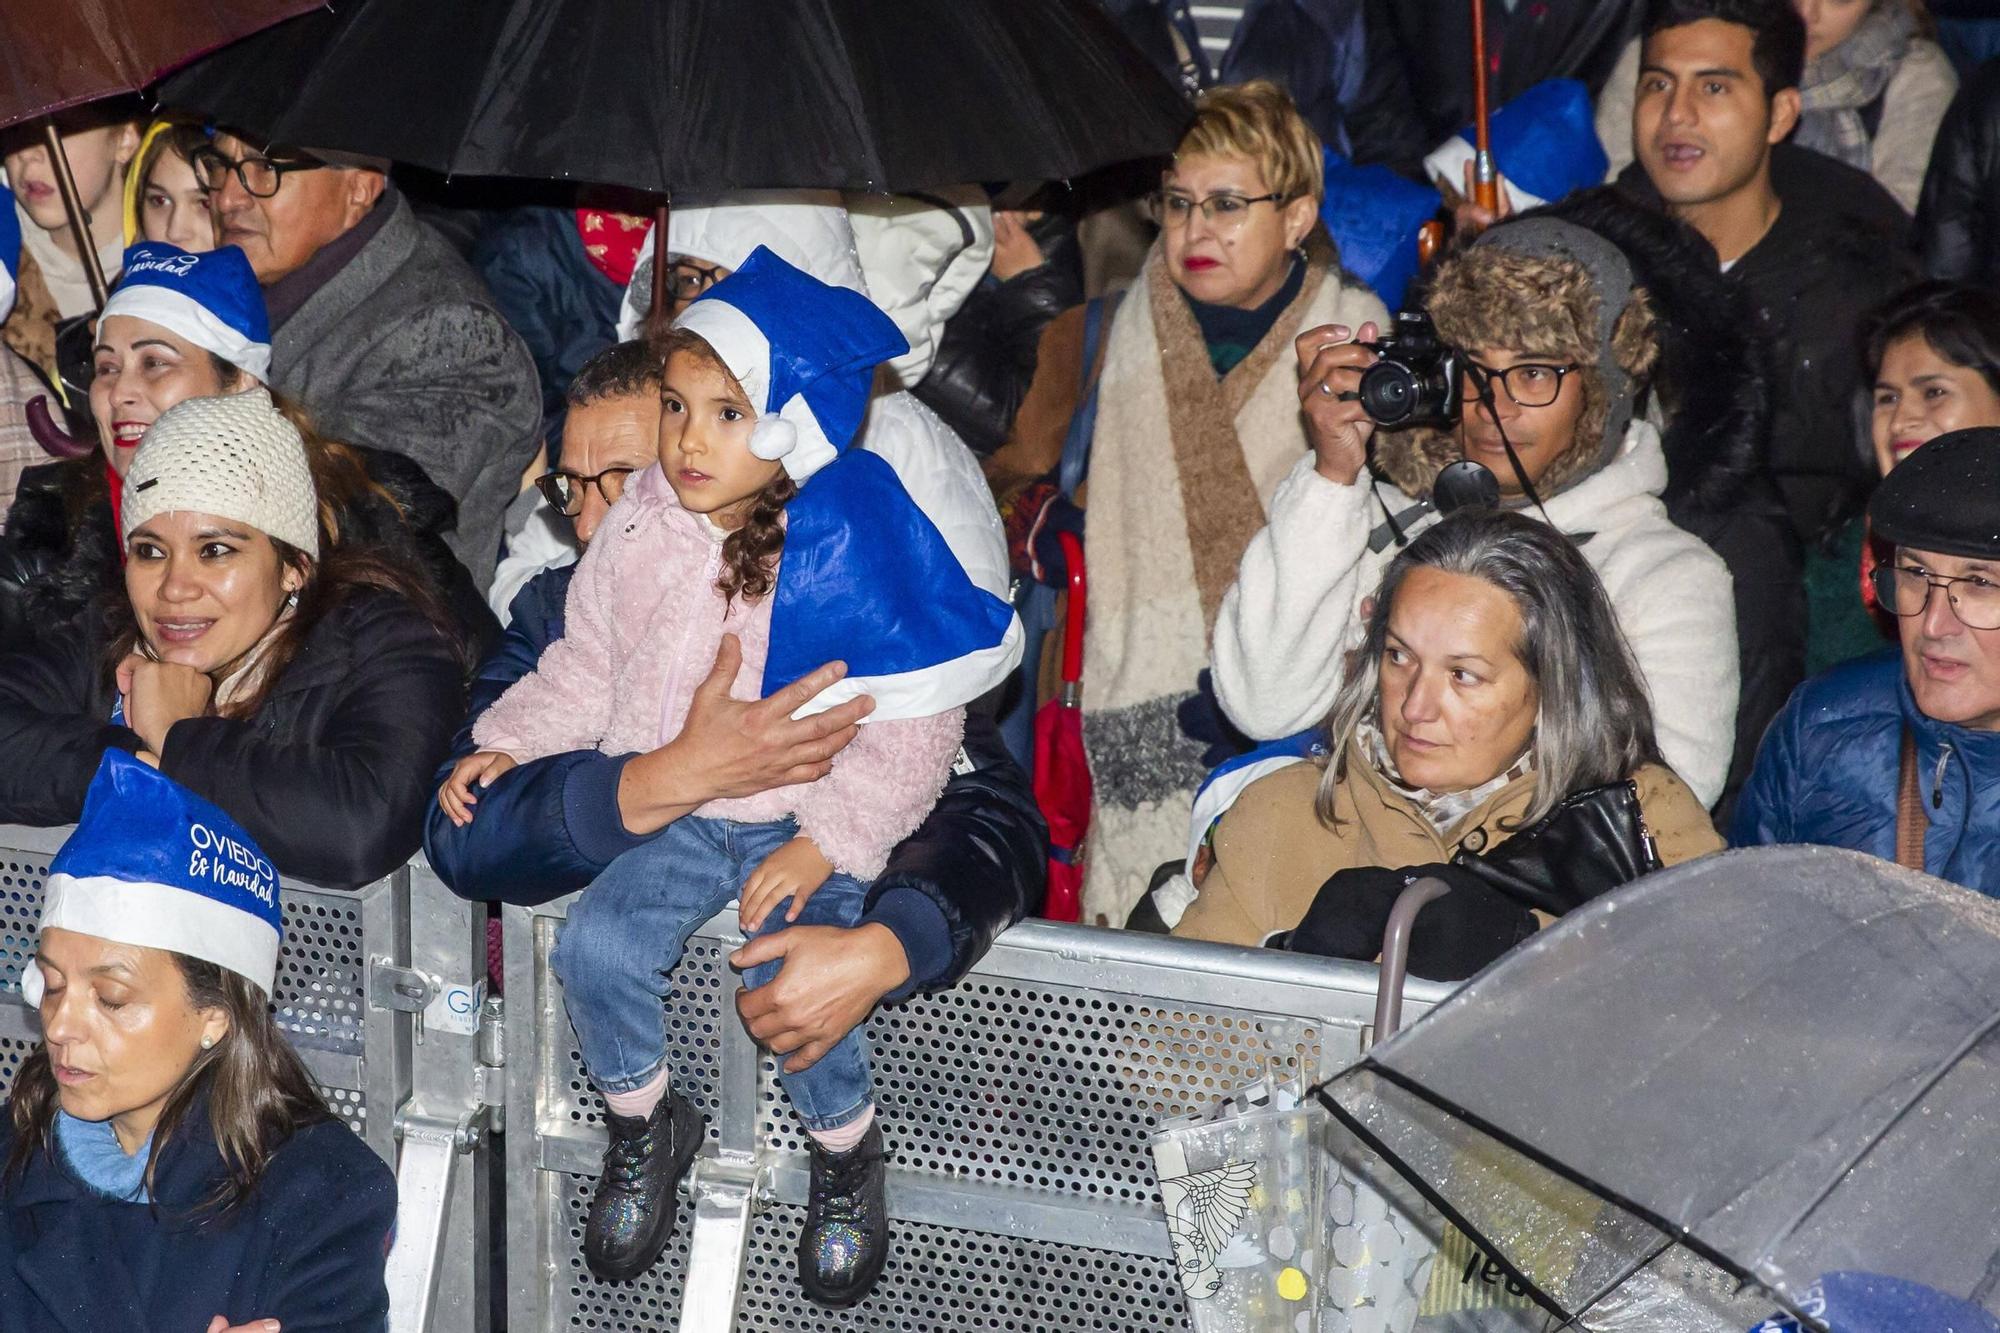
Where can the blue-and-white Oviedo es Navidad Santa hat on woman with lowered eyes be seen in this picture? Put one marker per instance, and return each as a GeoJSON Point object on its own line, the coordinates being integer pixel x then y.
{"type": "Point", "coordinates": [155, 866]}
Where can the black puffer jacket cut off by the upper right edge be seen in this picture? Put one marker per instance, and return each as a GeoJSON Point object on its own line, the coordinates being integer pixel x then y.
{"type": "Point", "coordinates": [1959, 215]}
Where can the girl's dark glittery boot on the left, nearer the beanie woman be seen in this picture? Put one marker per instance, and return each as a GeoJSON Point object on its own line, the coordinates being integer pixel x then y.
{"type": "Point", "coordinates": [639, 1196]}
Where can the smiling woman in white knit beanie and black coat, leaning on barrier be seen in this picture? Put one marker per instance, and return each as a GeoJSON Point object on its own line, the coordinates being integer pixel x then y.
{"type": "Point", "coordinates": [297, 680]}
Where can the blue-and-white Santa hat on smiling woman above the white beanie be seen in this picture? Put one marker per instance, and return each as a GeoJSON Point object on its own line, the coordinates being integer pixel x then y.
{"type": "Point", "coordinates": [211, 299]}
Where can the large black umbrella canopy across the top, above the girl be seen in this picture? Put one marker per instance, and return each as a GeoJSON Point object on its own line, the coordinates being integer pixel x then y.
{"type": "Point", "coordinates": [705, 95]}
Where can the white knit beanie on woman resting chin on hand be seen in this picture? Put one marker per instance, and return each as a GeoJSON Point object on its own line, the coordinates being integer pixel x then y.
{"type": "Point", "coordinates": [235, 457]}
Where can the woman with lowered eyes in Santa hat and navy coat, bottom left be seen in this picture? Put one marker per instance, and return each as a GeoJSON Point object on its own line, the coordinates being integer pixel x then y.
{"type": "Point", "coordinates": [167, 1162]}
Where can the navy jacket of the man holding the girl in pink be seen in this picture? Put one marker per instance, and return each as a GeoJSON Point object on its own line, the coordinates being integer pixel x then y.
{"type": "Point", "coordinates": [549, 828]}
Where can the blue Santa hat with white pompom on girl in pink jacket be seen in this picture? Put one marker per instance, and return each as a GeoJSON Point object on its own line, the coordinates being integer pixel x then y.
{"type": "Point", "coordinates": [803, 351]}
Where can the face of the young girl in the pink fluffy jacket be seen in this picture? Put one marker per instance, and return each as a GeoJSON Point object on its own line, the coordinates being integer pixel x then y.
{"type": "Point", "coordinates": [705, 441]}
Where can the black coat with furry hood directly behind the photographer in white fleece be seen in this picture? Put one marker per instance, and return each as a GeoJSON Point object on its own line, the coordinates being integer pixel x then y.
{"type": "Point", "coordinates": [1715, 393]}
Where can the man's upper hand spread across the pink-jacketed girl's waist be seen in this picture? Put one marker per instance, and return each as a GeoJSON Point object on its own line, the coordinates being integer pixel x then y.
{"type": "Point", "coordinates": [737, 750]}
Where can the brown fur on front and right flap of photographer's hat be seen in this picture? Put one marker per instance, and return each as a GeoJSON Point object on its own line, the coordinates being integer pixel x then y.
{"type": "Point", "coordinates": [1545, 307]}
